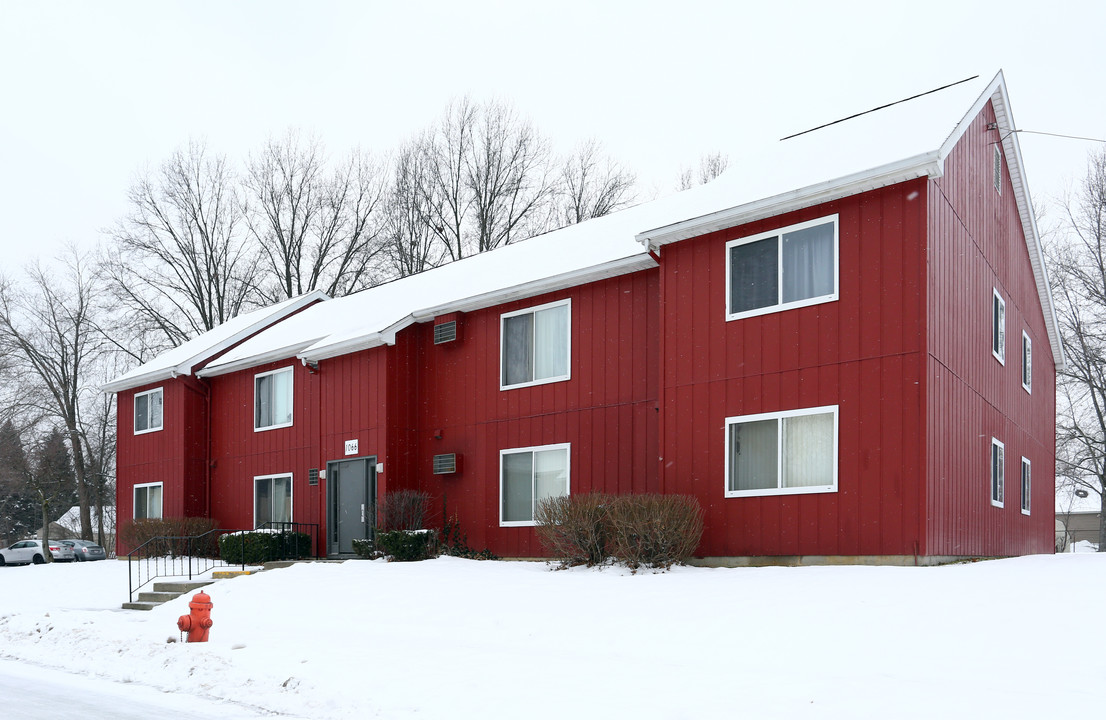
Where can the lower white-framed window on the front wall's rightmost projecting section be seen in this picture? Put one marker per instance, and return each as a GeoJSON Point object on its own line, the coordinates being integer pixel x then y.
{"type": "Point", "coordinates": [794, 452]}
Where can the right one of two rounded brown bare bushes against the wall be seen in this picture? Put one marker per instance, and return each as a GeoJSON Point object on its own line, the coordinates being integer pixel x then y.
{"type": "Point", "coordinates": [654, 530]}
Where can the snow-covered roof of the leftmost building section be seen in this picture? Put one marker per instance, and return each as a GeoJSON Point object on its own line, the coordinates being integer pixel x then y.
{"type": "Point", "coordinates": [183, 359]}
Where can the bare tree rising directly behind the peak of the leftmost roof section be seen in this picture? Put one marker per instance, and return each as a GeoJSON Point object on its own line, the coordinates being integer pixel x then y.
{"type": "Point", "coordinates": [317, 231]}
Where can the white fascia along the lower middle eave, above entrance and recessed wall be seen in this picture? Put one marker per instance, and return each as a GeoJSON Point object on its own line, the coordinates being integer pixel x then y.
{"type": "Point", "coordinates": [388, 337]}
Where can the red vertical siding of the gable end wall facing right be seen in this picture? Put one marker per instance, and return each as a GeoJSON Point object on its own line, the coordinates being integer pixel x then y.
{"type": "Point", "coordinates": [976, 246]}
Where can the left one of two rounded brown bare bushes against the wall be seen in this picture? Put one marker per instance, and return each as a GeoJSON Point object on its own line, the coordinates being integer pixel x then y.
{"type": "Point", "coordinates": [575, 529]}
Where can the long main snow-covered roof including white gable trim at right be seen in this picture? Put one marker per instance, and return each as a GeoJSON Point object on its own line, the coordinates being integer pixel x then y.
{"type": "Point", "coordinates": [896, 143]}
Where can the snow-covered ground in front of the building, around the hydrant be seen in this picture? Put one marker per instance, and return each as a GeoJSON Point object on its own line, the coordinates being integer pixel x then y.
{"type": "Point", "coordinates": [455, 639]}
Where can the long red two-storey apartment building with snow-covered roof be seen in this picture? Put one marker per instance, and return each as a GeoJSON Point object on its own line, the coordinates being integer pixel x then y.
{"type": "Point", "coordinates": [831, 348]}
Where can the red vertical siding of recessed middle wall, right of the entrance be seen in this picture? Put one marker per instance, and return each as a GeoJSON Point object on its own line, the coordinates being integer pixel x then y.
{"type": "Point", "coordinates": [607, 411]}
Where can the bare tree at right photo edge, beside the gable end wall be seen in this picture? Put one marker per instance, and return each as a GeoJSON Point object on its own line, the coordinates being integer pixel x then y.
{"type": "Point", "coordinates": [1078, 265]}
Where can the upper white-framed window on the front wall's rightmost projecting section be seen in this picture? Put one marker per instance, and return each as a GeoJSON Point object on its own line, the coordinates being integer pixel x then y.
{"type": "Point", "coordinates": [788, 268]}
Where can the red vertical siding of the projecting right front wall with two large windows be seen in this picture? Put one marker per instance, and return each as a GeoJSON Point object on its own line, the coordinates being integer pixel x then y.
{"type": "Point", "coordinates": [861, 353]}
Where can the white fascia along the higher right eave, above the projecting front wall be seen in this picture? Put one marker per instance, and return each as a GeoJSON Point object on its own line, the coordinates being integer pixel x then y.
{"type": "Point", "coordinates": [927, 164]}
